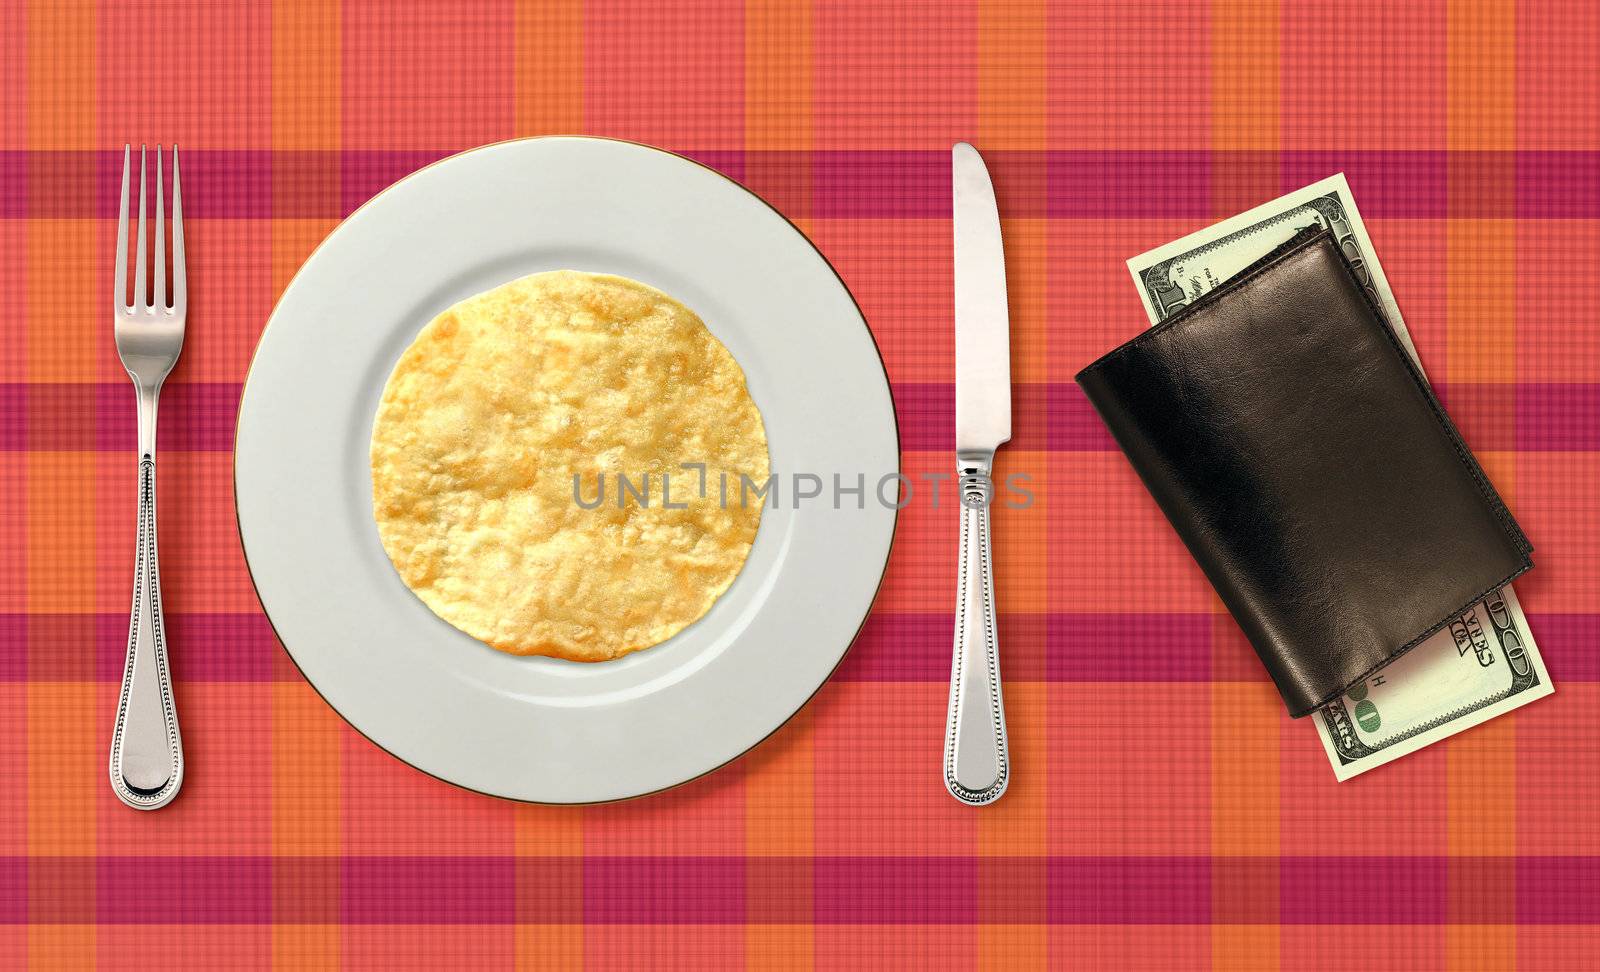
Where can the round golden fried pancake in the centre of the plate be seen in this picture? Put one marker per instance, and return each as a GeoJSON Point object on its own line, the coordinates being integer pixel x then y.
{"type": "Point", "coordinates": [510, 396]}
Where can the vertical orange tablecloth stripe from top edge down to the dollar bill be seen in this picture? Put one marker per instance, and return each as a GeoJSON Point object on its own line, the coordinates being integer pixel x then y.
{"type": "Point", "coordinates": [1246, 95]}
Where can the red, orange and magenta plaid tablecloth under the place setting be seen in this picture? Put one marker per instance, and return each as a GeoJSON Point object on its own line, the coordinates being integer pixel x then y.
{"type": "Point", "coordinates": [1164, 815]}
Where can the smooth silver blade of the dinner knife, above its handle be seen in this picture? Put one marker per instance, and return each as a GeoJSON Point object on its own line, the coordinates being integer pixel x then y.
{"type": "Point", "coordinates": [983, 322]}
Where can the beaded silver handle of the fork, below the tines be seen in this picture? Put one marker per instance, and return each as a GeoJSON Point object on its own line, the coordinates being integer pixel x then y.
{"type": "Point", "coordinates": [146, 751]}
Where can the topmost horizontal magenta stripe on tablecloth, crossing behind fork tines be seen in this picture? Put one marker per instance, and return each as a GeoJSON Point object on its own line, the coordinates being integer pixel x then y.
{"type": "Point", "coordinates": [857, 185]}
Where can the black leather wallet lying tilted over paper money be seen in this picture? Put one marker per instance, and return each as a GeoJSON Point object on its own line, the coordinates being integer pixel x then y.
{"type": "Point", "coordinates": [1310, 469]}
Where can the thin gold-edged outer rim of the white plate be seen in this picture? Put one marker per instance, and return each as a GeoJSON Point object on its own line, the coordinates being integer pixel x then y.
{"type": "Point", "coordinates": [895, 511]}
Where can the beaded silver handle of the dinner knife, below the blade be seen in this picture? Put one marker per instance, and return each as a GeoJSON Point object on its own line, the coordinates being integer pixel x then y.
{"type": "Point", "coordinates": [977, 763]}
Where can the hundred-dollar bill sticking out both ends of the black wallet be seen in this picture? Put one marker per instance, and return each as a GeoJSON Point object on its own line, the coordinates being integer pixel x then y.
{"type": "Point", "coordinates": [1486, 663]}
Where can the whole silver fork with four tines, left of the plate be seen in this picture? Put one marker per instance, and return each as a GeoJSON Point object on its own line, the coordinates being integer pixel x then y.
{"type": "Point", "coordinates": [146, 752]}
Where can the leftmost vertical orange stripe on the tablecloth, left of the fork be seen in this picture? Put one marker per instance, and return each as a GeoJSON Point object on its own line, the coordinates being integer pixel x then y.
{"type": "Point", "coordinates": [66, 759]}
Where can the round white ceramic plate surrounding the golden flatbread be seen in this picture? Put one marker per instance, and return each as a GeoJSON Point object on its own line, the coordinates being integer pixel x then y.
{"type": "Point", "coordinates": [545, 730]}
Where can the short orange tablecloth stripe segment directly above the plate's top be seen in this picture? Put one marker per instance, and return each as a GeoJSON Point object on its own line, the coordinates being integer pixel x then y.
{"type": "Point", "coordinates": [548, 68]}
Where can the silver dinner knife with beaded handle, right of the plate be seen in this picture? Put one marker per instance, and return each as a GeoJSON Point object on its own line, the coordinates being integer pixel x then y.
{"type": "Point", "coordinates": [977, 765]}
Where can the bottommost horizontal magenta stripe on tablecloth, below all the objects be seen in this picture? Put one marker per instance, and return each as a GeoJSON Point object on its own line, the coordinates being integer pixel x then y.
{"type": "Point", "coordinates": [897, 890]}
